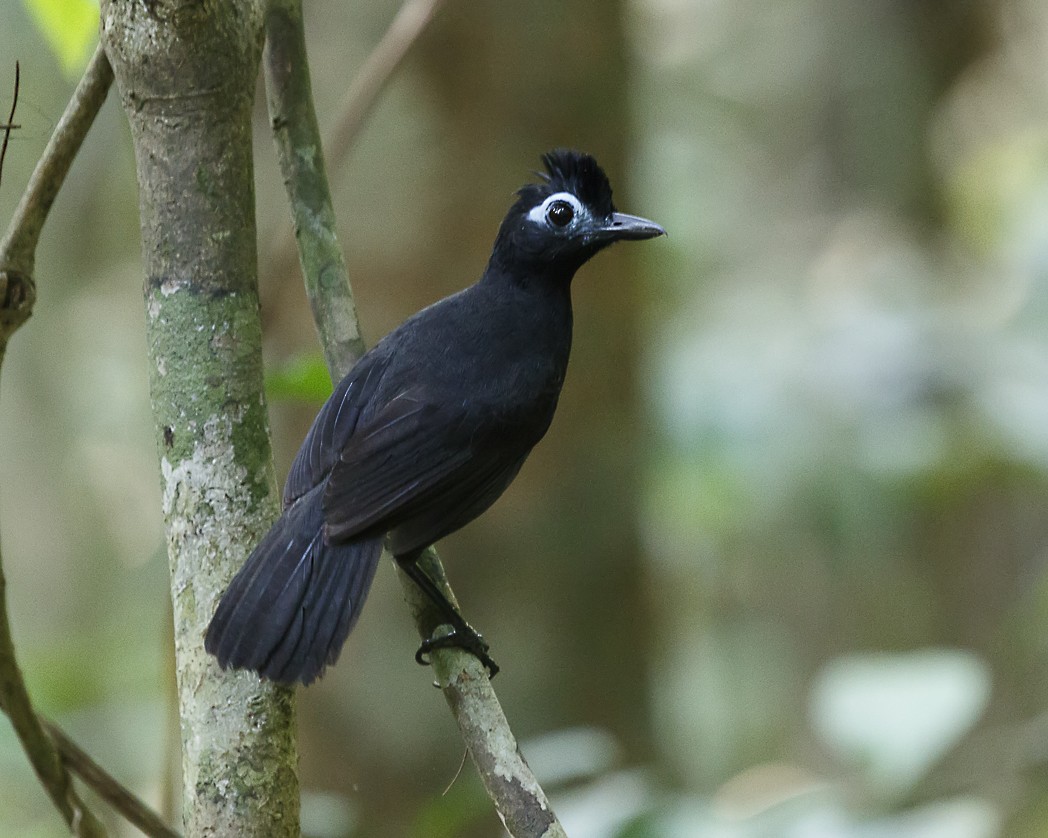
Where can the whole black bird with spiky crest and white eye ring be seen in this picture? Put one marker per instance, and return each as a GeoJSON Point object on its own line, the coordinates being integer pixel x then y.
{"type": "Point", "coordinates": [423, 435]}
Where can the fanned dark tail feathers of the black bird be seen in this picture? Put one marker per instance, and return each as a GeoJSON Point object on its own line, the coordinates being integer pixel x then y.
{"type": "Point", "coordinates": [289, 611]}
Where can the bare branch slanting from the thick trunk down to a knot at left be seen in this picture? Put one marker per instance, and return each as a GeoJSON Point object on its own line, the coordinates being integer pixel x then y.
{"type": "Point", "coordinates": [19, 246]}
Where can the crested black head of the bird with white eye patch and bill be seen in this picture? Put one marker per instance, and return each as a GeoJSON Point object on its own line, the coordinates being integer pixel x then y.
{"type": "Point", "coordinates": [558, 225]}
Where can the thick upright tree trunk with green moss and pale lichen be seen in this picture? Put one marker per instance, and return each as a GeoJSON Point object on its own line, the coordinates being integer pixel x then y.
{"type": "Point", "coordinates": [186, 74]}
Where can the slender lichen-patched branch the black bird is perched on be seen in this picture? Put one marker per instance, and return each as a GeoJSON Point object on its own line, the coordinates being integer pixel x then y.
{"type": "Point", "coordinates": [517, 796]}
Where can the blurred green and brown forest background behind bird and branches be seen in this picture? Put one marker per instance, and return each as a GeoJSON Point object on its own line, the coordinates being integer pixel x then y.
{"type": "Point", "coordinates": [779, 567]}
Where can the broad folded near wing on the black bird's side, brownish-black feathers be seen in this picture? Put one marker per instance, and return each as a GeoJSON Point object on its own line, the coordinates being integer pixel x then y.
{"type": "Point", "coordinates": [423, 464]}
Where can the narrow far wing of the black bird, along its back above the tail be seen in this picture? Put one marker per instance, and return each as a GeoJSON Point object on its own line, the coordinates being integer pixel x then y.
{"type": "Point", "coordinates": [334, 426]}
